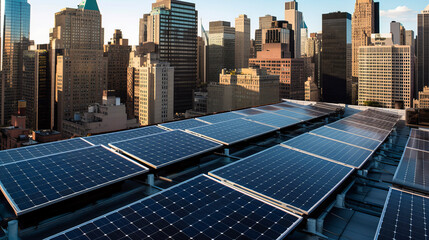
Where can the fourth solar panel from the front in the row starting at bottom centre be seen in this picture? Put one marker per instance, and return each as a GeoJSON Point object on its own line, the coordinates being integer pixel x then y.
{"type": "Point", "coordinates": [348, 138]}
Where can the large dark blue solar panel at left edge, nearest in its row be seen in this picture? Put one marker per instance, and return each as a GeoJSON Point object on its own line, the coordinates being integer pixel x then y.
{"type": "Point", "coordinates": [32, 184]}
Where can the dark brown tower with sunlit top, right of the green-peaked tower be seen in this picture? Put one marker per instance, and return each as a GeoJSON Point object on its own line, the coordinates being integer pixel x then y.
{"type": "Point", "coordinates": [117, 52]}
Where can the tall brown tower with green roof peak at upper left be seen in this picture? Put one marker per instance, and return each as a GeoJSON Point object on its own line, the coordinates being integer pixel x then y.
{"type": "Point", "coordinates": [81, 68]}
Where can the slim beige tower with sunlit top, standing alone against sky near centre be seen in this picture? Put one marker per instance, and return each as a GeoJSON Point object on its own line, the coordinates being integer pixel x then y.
{"type": "Point", "coordinates": [242, 41]}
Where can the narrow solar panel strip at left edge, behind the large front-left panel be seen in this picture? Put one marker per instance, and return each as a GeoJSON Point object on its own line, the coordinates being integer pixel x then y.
{"type": "Point", "coordinates": [18, 154]}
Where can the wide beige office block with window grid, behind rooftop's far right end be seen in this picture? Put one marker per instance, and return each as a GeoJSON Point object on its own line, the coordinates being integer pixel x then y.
{"type": "Point", "coordinates": [385, 76]}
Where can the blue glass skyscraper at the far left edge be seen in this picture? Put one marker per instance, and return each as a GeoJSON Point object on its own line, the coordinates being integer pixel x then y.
{"type": "Point", "coordinates": [16, 37]}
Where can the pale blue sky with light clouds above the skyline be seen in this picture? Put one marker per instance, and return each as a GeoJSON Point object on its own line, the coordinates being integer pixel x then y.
{"type": "Point", "coordinates": [125, 14]}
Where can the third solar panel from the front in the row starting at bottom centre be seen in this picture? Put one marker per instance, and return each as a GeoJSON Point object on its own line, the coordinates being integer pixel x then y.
{"type": "Point", "coordinates": [333, 150]}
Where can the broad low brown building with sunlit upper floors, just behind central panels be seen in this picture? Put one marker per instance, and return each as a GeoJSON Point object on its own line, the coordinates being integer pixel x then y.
{"type": "Point", "coordinates": [244, 88]}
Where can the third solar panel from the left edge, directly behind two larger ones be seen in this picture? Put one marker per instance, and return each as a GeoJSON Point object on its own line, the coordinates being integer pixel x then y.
{"type": "Point", "coordinates": [233, 131]}
